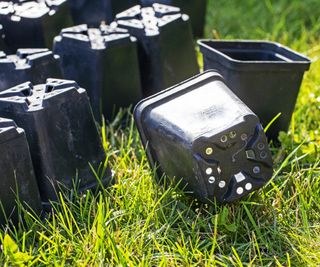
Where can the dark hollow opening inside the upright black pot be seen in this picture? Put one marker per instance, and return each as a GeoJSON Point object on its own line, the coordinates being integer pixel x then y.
{"type": "Point", "coordinates": [254, 55]}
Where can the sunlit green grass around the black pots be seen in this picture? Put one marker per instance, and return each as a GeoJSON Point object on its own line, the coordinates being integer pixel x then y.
{"type": "Point", "coordinates": [137, 222]}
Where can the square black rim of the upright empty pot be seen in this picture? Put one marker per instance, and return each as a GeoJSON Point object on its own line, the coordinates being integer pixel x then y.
{"type": "Point", "coordinates": [205, 47]}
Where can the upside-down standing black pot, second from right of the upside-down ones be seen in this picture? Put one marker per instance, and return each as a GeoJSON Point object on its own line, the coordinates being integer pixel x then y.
{"type": "Point", "coordinates": [104, 61]}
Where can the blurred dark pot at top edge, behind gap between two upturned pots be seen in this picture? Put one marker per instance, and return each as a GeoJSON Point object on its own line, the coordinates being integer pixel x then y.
{"type": "Point", "coordinates": [93, 12]}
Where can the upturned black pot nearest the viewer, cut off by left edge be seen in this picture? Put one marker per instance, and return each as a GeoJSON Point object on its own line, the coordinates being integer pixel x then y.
{"type": "Point", "coordinates": [18, 182]}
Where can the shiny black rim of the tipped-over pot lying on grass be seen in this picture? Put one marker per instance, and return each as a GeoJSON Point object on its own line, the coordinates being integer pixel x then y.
{"type": "Point", "coordinates": [149, 102]}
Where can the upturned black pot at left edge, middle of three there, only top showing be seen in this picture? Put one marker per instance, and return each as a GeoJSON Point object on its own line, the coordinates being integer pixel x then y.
{"type": "Point", "coordinates": [35, 65]}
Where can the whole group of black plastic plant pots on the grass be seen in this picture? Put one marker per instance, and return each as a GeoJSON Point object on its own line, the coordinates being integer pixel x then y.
{"type": "Point", "coordinates": [204, 131]}
